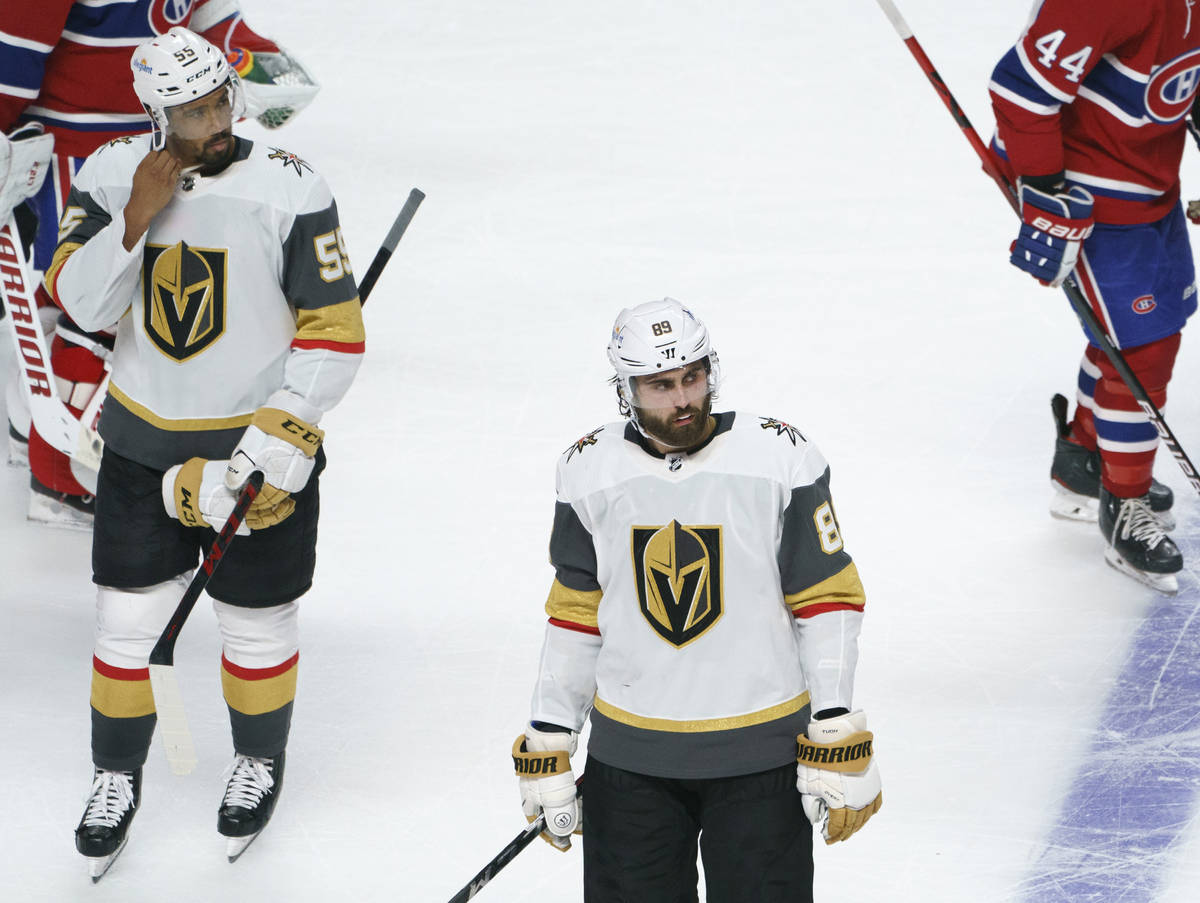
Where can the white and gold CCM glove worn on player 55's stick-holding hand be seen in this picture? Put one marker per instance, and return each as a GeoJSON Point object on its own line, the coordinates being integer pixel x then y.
{"type": "Point", "coordinates": [281, 445]}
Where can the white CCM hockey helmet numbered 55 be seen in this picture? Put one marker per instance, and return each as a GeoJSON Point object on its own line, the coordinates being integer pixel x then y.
{"type": "Point", "coordinates": [176, 69]}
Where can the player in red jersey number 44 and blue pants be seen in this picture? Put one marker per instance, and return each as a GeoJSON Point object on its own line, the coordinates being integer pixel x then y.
{"type": "Point", "coordinates": [1091, 107]}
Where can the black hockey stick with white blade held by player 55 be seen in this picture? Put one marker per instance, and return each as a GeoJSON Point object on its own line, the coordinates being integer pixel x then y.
{"type": "Point", "coordinates": [177, 737]}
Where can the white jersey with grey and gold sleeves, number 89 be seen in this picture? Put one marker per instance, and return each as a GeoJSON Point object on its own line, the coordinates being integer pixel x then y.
{"type": "Point", "coordinates": [698, 597]}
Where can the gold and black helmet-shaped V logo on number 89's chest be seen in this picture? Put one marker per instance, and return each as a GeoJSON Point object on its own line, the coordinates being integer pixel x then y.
{"type": "Point", "coordinates": [677, 571]}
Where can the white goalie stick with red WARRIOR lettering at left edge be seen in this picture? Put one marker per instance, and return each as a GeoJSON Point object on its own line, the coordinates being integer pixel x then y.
{"type": "Point", "coordinates": [55, 422]}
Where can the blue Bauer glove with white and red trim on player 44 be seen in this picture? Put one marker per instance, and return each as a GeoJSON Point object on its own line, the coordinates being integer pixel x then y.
{"type": "Point", "coordinates": [1053, 231]}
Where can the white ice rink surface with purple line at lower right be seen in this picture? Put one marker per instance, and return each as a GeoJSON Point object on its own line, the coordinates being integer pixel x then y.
{"type": "Point", "coordinates": [788, 171]}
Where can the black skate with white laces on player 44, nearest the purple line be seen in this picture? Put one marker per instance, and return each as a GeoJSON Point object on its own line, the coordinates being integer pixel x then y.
{"type": "Point", "coordinates": [1137, 545]}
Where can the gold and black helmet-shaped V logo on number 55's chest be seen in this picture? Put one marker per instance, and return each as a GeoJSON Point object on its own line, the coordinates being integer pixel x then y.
{"type": "Point", "coordinates": [184, 298]}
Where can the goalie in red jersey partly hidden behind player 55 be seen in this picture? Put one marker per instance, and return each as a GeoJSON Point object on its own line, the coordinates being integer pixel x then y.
{"type": "Point", "coordinates": [64, 64]}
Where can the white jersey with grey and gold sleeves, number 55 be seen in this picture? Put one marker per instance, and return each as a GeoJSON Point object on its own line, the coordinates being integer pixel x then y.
{"type": "Point", "coordinates": [241, 290]}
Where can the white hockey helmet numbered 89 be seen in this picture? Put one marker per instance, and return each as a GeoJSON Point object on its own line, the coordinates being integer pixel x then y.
{"type": "Point", "coordinates": [655, 338]}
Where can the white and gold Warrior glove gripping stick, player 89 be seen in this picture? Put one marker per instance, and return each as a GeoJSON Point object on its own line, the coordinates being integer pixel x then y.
{"type": "Point", "coordinates": [543, 762]}
